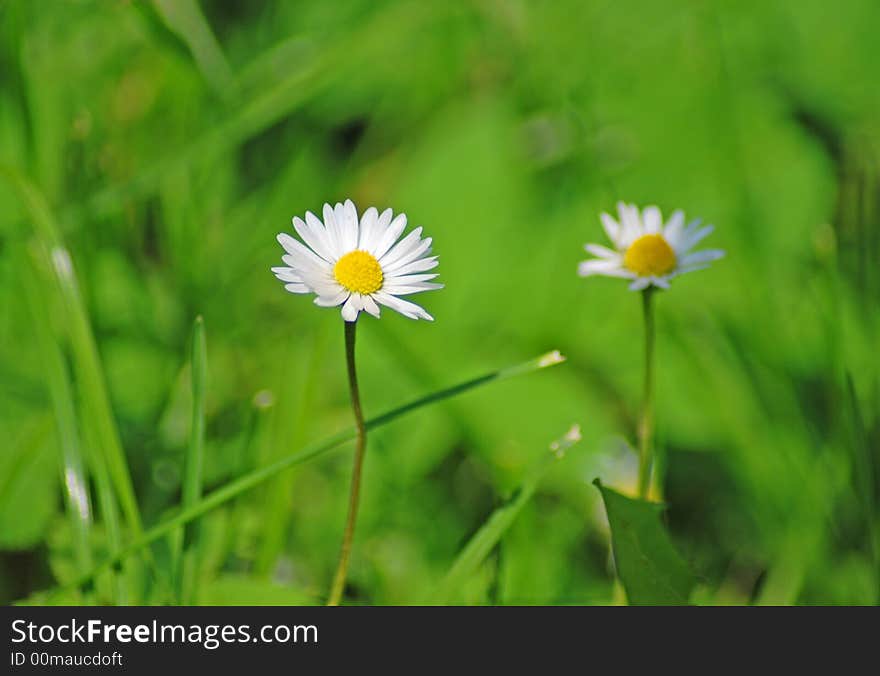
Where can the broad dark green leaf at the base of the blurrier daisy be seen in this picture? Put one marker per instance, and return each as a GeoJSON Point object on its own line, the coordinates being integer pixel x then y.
{"type": "Point", "coordinates": [650, 568]}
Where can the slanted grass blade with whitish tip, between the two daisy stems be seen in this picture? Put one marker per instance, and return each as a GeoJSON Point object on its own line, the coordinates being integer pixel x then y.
{"type": "Point", "coordinates": [490, 533]}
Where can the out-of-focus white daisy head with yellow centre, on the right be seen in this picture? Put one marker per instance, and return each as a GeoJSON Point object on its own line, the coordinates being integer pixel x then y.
{"type": "Point", "coordinates": [648, 251]}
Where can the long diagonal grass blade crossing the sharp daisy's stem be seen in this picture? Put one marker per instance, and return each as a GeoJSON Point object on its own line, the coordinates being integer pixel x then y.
{"type": "Point", "coordinates": [260, 475]}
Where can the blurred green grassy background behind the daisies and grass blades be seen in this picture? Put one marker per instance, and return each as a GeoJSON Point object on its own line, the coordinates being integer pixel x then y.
{"type": "Point", "coordinates": [173, 140]}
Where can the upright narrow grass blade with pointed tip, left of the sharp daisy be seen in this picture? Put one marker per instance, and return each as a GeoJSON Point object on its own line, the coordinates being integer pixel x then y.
{"type": "Point", "coordinates": [186, 547]}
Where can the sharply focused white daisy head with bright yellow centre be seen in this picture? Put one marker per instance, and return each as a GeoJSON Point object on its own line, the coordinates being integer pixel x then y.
{"type": "Point", "coordinates": [358, 263]}
